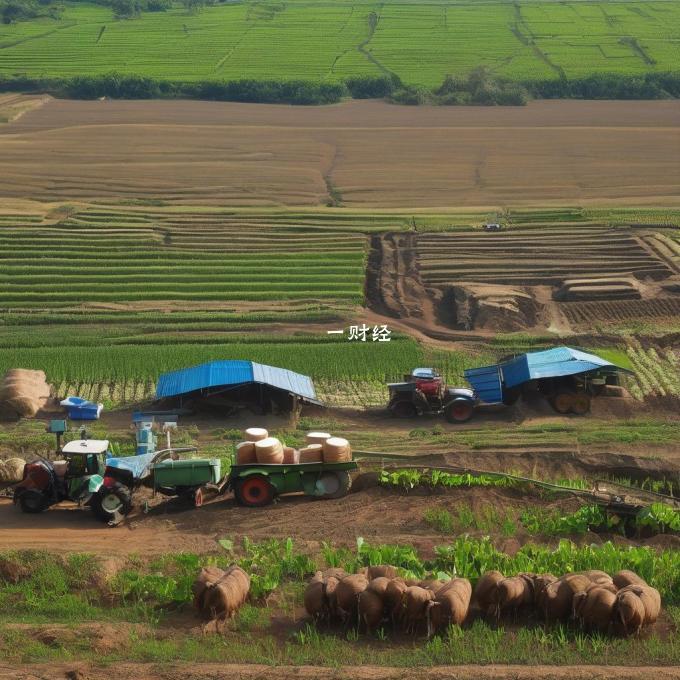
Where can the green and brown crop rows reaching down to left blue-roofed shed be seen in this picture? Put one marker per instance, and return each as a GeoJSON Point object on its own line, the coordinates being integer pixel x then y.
{"type": "Point", "coordinates": [104, 300]}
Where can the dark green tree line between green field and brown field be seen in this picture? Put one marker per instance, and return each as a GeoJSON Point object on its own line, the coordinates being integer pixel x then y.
{"type": "Point", "coordinates": [478, 88]}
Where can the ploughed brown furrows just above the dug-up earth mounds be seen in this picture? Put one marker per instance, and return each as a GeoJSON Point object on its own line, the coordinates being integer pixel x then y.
{"type": "Point", "coordinates": [535, 258]}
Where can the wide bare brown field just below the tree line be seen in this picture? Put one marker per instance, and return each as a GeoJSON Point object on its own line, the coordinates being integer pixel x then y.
{"type": "Point", "coordinates": [368, 153]}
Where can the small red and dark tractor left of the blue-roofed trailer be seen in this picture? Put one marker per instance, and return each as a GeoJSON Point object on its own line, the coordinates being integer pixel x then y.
{"type": "Point", "coordinates": [424, 392]}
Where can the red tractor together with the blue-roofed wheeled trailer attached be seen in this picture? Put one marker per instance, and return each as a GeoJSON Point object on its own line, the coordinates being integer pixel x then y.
{"type": "Point", "coordinates": [568, 378]}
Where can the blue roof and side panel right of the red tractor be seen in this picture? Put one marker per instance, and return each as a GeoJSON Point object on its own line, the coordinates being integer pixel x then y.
{"type": "Point", "coordinates": [558, 362]}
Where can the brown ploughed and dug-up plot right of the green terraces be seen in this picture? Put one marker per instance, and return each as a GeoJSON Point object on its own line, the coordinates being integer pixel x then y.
{"type": "Point", "coordinates": [520, 279]}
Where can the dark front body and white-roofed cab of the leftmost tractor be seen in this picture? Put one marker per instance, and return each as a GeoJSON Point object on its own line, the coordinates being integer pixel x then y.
{"type": "Point", "coordinates": [75, 476]}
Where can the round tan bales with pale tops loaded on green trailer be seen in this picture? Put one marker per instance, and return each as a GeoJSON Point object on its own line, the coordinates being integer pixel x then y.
{"type": "Point", "coordinates": [259, 447]}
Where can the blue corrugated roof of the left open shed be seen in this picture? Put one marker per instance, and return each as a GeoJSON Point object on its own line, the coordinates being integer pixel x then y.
{"type": "Point", "coordinates": [217, 375]}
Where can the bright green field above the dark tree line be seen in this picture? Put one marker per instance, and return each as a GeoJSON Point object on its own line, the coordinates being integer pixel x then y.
{"type": "Point", "coordinates": [421, 42]}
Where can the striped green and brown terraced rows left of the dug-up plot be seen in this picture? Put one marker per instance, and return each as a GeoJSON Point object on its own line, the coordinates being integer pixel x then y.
{"type": "Point", "coordinates": [125, 257]}
